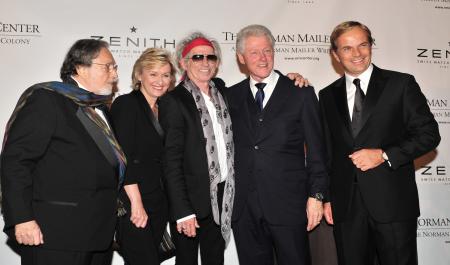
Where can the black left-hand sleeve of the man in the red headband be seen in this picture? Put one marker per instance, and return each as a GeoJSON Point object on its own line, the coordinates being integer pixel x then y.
{"type": "Point", "coordinates": [172, 122]}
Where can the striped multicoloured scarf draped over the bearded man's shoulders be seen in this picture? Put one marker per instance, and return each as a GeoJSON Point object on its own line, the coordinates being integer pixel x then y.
{"type": "Point", "coordinates": [86, 100]}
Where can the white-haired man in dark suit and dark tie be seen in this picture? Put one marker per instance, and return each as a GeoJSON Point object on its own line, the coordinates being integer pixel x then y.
{"type": "Point", "coordinates": [279, 186]}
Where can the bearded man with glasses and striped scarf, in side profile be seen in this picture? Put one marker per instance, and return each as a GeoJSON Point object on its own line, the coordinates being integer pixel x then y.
{"type": "Point", "coordinates": [61, 162]}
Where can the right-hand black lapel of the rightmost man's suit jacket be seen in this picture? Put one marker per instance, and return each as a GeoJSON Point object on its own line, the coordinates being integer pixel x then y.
{"type": "Point", "coordinates": [376, 86]}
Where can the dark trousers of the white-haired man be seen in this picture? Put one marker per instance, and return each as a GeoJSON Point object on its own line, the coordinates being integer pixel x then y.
{"type": "Point", "coordinates": [257, 240]}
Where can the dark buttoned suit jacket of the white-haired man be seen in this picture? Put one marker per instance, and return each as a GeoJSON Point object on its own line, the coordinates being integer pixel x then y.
{"type": "Point", "coordinates": [270, 150]}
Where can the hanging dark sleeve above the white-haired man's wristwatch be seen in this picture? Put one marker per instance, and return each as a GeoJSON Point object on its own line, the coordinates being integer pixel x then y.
{"type": "Point", "coordinates": [315, 147]}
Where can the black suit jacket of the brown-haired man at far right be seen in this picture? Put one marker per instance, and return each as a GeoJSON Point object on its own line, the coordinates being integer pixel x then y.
{"type": "Point", "coordinates": [397, 119]}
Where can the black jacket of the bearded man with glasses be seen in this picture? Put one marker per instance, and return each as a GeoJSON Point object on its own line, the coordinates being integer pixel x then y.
{"type": "Point", "coordinates": [54, 172]}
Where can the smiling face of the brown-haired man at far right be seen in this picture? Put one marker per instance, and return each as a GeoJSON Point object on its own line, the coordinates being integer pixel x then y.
{"type": "Point", "coordinates": [354, 51]}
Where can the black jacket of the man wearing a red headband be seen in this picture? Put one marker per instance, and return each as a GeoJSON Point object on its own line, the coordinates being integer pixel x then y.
{"type": "Point", "coordinates": [185, 161]}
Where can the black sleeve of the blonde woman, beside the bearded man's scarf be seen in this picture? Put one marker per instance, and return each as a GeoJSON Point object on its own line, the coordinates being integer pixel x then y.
{"type": "Point", "coordinates": [124, 116]}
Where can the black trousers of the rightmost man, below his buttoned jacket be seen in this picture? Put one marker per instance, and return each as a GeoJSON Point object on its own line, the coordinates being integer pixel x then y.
{"type": "Point", "coordinates": [360, 239]}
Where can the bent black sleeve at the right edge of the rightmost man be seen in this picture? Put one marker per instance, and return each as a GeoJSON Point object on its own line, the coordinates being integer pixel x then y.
{"type": "Point", "coordinates": [421, 129]}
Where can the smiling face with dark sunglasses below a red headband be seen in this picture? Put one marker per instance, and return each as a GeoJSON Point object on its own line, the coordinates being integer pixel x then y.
{"type": "Point", "coordinates": [200, 72]}
